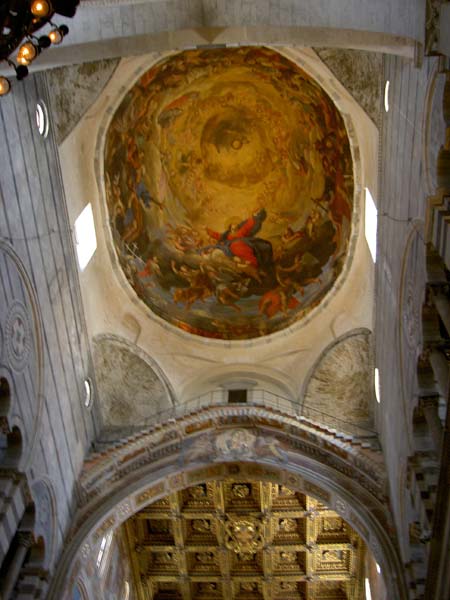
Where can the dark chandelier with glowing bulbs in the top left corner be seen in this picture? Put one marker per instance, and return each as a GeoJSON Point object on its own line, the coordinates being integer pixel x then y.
{"type": "Point", "coordinates": [20, 20]}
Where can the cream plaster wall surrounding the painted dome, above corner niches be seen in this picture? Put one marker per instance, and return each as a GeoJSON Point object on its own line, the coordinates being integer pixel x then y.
{"type": "Point", "coordinates": [192, 364]}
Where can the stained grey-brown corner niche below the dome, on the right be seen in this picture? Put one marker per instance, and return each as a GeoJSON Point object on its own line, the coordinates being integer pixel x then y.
{"type": "Point", "coordinates": [338, 389]}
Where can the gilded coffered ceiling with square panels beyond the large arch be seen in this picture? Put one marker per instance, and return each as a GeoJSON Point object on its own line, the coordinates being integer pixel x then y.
{"type": "Point", "coordinates": [243, 540]}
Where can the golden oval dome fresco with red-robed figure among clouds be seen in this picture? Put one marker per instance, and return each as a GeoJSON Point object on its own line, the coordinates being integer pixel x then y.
{"type": "Point", "coordinates": [229, 187]}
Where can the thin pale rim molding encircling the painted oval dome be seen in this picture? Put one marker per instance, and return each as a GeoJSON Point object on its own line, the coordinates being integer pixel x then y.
{"type": "Point", "coordinates": [314, 67]}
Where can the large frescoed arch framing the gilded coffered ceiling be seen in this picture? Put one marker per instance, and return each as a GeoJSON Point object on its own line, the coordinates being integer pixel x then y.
{"type": "Point", "coordinates": [263, 444]}
